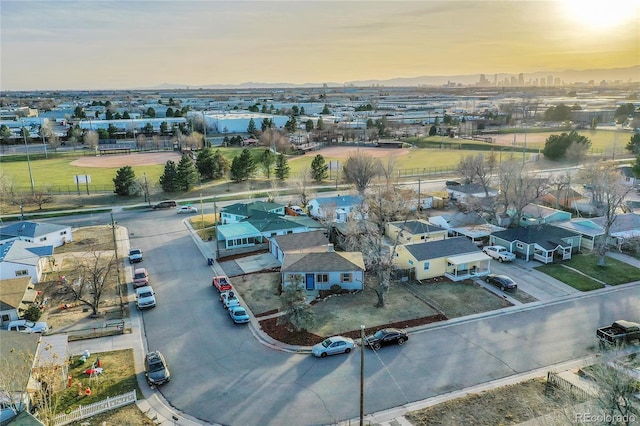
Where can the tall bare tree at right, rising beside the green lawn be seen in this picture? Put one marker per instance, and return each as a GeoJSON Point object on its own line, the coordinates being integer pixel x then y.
{"type": "Point", "coordinates": [609, 193]}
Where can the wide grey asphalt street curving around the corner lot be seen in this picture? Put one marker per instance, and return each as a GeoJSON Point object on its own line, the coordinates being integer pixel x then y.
{"type": "Point", "coordinates": [222, 374]}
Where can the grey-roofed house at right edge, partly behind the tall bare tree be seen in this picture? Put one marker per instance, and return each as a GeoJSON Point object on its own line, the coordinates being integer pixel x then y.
{"type": "Point", "coordinates": [625, 226]}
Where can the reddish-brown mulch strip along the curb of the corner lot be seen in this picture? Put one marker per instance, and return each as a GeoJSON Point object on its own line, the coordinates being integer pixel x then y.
{"type": "Point", "coordinates": [304, 338]}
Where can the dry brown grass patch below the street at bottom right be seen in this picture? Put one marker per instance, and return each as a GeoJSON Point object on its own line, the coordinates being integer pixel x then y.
{"type": "Point", "coordinates": [508, 405]}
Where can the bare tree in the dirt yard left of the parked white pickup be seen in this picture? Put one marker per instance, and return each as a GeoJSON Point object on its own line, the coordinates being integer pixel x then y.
{"type": "Point", "coordinates": [92, 276]}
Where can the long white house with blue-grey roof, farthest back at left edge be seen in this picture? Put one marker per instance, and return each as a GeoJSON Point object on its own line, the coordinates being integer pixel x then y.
{"type": "Point", "coordinates": [48, 234]}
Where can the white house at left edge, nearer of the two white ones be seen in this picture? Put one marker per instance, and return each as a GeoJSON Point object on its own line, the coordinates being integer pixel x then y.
{"type": "Point", "coordinates": [20, 258]}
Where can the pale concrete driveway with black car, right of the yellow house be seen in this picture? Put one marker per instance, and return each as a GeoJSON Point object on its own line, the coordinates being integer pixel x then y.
{"type": "Point", "coordinates": [531, 281]}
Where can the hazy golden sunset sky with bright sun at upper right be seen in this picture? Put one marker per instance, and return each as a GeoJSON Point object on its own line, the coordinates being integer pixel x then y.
{"type": "Point", "coordinates": [92, 45]}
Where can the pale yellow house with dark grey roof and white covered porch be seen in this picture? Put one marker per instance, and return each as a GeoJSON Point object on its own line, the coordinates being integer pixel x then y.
{"type": "Point", "coordinates": [455, 258]}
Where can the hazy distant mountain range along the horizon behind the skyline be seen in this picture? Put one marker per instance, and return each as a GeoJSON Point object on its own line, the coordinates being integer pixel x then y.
{"type": "Point", "coordinates": [628, 74]}
